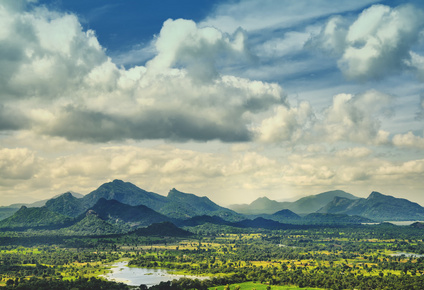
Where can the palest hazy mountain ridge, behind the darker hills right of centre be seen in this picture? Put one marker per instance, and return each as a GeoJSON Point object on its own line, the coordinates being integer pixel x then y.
{"type": "Point", "coordinates": [305, 205]}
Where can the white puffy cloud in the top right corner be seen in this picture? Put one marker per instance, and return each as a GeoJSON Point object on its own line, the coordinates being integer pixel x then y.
{"type": "Point", "coordinates": [376, 44]}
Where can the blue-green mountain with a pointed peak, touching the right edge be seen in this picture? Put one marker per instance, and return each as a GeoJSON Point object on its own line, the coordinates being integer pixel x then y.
{"type": "Point", "coordinates": [377, 207]}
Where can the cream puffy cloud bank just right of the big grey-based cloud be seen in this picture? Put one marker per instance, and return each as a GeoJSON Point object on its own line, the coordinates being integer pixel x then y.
{"type": "Point", "coordinates": [350, 118]}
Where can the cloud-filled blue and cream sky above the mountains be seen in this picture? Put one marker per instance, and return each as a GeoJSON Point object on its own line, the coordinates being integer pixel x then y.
{"type": "Point", "coordinates": [233, 100]}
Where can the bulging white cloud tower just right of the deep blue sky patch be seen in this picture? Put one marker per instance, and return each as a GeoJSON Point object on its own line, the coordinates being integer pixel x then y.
{"type": "Point", "coordinates": [182, 43]}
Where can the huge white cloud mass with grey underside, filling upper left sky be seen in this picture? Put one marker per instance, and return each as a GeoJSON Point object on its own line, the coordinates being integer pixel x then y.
{"type": "Point", "coordinates": [66, 85]}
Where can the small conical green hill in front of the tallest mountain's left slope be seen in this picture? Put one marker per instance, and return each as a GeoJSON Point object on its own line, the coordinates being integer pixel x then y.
{"type": "Point", "coordinates": [91, 225]}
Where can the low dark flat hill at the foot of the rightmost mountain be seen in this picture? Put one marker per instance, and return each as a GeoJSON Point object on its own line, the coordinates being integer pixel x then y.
{"type": "Point", "coordinates": [329, 218]}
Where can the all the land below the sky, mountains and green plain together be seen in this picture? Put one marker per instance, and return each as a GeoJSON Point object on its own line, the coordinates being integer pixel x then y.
{"type": "Point", "coordinates": [73, 242]}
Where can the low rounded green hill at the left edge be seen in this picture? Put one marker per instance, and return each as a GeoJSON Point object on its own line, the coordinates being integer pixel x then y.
{"type": "Point", "coordinates": [35, 217]}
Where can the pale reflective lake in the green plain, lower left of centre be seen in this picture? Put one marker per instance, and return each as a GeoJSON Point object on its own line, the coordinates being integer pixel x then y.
{"type": "Point", "coordinates": [136, 276]}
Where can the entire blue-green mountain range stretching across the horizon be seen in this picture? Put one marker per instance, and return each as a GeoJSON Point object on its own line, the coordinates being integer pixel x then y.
{"type": "Point", "coordinates": [119, 206]}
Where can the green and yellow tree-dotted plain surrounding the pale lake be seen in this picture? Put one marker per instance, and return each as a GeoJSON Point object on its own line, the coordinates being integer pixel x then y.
{"type": "Point", "coordinates": [349, 257]}
